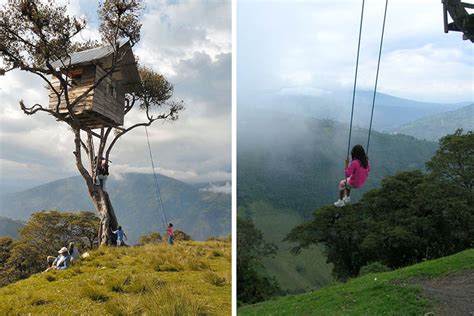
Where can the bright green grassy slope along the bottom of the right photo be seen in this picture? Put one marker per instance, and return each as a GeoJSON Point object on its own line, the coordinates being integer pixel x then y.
{"type": "Point", "coordinates": [389, 293]}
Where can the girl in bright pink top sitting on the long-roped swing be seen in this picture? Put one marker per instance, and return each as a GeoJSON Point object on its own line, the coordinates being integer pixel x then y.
{"type": "Point", "coordinates": [356, 173]}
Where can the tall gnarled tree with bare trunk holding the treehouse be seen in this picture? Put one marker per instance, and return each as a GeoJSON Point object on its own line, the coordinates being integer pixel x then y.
{"type": "Point", "coordinates": [34, 35]}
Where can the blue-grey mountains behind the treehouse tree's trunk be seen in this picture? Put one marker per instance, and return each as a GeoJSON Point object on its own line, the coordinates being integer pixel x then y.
{"type": "Point", "coordinates": [201, 213]}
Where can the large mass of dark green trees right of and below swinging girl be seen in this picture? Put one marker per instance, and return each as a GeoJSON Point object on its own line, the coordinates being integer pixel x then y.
{"type": "Point", "coordinates": [411, 218]}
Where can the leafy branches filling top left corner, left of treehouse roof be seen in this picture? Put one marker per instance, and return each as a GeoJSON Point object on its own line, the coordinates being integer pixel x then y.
{"type": "Point", "coordinates": [39, 24]}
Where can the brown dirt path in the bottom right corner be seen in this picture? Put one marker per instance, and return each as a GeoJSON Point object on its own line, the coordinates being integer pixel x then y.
{"type": "Point", "coordinates": [454, 293]}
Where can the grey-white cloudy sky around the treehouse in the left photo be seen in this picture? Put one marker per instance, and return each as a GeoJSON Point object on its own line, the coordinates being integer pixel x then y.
{"type": "Point", "coordinates": [187, 41]}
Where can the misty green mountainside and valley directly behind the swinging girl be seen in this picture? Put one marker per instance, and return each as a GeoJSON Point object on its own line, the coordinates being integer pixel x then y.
{"type": "Point", "coordinates": [289, 165]}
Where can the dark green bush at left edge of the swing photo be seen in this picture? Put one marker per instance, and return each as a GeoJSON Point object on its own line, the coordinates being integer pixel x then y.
{"type": "Point", "coordinates": [252, 285]}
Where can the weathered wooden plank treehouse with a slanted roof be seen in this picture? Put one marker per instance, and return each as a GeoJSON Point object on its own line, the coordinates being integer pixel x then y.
{"type": "Point", "coordinates": [104, 105]}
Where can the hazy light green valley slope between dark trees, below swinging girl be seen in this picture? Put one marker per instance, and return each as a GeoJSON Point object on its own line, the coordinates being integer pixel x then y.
{"type": "Point", "coordinates": [298, 273]}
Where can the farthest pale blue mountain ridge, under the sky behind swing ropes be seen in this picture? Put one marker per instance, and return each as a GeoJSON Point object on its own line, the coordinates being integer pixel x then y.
{"type": "Point", "coordinates": [389, 112]}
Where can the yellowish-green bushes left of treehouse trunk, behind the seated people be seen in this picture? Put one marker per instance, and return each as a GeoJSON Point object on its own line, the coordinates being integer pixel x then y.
{"type": "Point", "coordinates": [44, 234]}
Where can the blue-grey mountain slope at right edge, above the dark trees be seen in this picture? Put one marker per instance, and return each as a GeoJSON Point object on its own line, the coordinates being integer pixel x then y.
{"type": "Point", "coordinates": [433, 127]}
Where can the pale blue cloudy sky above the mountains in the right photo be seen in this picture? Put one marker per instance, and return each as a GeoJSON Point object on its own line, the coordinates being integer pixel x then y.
{"type": "Point", "coordinates": [309, 48]}
